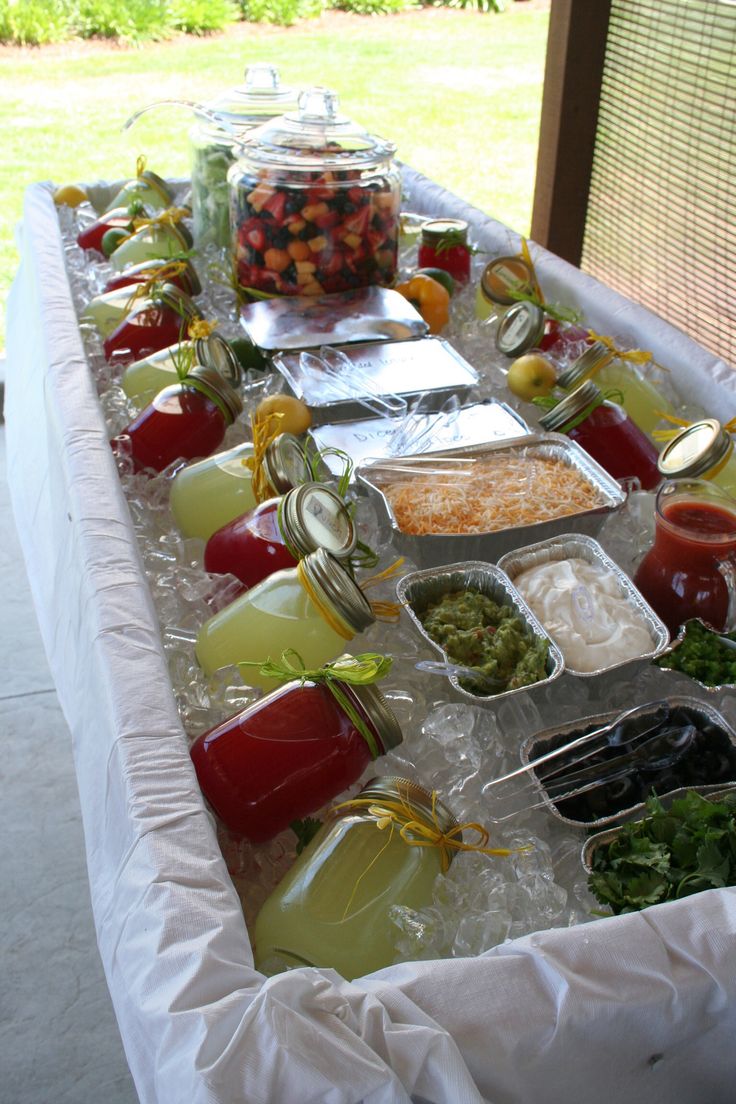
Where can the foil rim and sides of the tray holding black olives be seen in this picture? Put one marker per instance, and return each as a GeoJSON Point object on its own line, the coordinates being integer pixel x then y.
{"type": "Point", "coordinates": [552, 738]}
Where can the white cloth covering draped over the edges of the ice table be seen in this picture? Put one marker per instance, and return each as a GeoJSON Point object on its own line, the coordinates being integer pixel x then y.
{"type": "Point", "coordinates": [638, 1007]}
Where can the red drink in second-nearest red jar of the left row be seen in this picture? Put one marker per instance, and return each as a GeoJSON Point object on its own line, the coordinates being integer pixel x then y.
{"type": "Point", "coordinates": [251, 548]}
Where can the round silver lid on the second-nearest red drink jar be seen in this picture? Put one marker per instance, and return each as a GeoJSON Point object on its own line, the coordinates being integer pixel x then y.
{"type": "Point", "coordinates": [313, 517]}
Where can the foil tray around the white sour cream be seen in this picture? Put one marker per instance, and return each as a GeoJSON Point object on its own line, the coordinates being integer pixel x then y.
{"type": "Point", "coordinates": [581, 547]}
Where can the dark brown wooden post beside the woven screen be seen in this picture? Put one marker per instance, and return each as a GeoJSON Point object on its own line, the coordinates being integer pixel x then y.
{"type": "Point", "coordinates": [577, 50]}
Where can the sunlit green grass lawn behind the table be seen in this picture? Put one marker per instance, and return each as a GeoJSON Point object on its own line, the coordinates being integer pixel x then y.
{"type": "Point", "coordinates": [457, 91]}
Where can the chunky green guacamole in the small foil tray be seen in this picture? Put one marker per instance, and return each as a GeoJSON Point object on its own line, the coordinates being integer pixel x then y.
{"type": "Point", "coordinates": [477, 632]}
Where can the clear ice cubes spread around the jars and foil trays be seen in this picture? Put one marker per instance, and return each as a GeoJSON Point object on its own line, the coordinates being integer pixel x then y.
{"type": "Point", "coordinates": [449, 746]}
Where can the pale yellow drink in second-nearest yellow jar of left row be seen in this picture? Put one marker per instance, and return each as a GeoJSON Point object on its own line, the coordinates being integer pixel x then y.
{"type": "Point", "coordinates": [275, 615]}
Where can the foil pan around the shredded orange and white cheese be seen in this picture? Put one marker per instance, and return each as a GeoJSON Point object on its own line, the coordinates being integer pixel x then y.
{"type": "Point", "coordinates": [436, 549]}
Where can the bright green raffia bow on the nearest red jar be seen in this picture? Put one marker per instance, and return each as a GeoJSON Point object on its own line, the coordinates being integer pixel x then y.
{"type": "Point", "coordinates": [356, 671]}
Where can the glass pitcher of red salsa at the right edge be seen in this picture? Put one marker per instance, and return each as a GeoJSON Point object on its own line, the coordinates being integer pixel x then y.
{"type": "Point", "coordinates": [691, 569]}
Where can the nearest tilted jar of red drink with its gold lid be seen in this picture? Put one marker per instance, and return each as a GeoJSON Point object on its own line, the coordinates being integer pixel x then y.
{"type": "Point", "coordinates": [292, 752]}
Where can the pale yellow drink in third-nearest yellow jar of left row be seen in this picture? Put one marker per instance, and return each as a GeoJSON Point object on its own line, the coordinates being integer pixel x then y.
{"type": "Point", "coordinates": [207, 495]}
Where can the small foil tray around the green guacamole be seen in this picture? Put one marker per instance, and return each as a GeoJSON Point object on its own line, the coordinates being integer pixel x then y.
{"type": "Point", "coordinates": [420, 589]}
